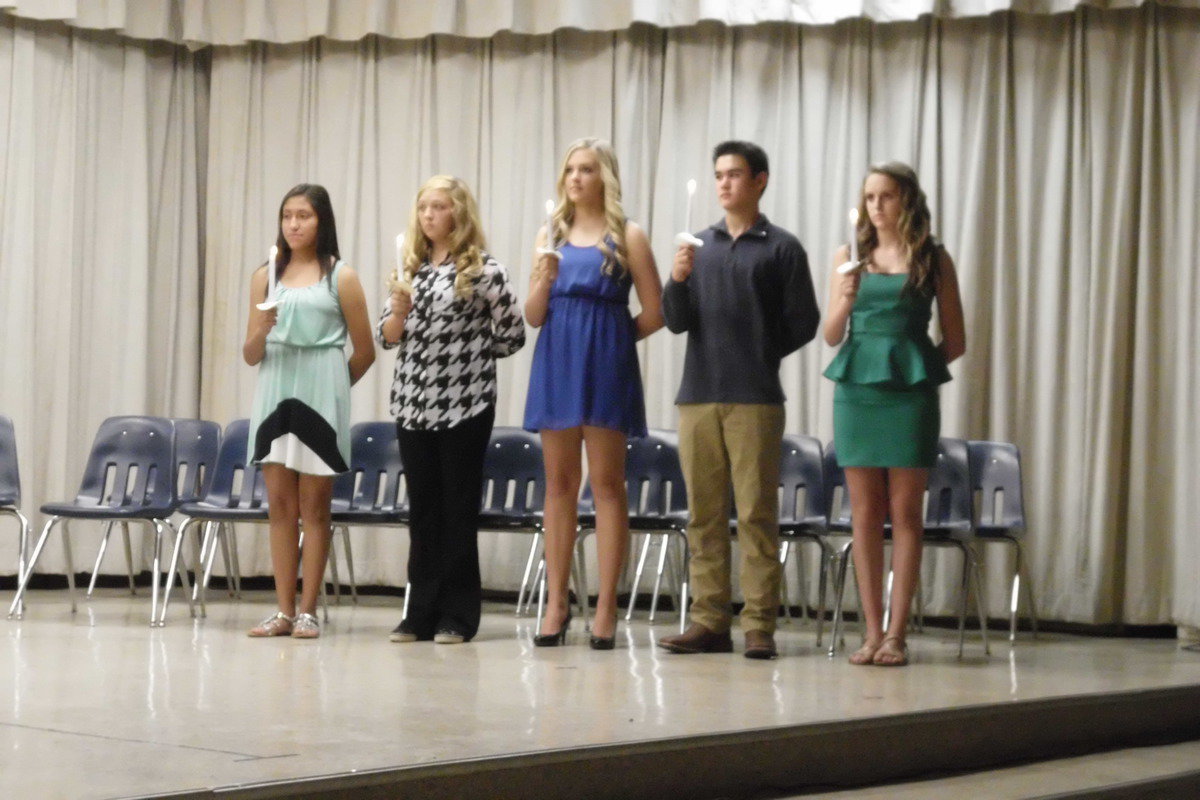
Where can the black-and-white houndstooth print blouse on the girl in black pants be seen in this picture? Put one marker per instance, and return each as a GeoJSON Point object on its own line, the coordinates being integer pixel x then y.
{"type": "Point", "coordinates": [446, 370]}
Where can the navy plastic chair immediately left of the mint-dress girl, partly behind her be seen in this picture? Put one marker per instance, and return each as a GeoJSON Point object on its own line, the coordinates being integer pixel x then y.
{"type": "Point", "coordinates": [236, 494]}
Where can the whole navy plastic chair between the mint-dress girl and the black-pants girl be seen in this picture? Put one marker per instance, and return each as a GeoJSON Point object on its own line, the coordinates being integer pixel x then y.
{"type": "Point", "coordinates": [373, 492]}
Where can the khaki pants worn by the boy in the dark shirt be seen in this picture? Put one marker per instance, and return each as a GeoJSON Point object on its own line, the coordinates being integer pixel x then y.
{"type": "Point", "coordinates": [745, 441]}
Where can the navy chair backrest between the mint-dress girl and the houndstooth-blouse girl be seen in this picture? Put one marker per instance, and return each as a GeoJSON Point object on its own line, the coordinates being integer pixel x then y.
{"type": "Point", "coordinates": [376, 478]}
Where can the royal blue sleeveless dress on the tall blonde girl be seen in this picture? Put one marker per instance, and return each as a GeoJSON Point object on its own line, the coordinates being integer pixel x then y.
{"type": "Point", "coordinates": [585, 366]}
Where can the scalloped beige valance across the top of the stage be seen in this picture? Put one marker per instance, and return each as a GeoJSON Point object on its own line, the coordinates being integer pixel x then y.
{"type": "Point", "coordinates": [241, 22]}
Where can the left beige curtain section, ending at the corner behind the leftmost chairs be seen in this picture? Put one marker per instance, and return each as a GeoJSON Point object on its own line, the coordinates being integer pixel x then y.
{"type": "Point", "coordinates": [100, 256]}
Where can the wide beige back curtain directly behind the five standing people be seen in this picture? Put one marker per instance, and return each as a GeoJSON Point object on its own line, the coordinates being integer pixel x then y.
{"type": "Point", "coordinates": [1060, 157]}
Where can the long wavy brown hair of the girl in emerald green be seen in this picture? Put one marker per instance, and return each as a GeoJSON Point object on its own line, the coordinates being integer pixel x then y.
{"type": "Point", "coordinates": [920, 246]}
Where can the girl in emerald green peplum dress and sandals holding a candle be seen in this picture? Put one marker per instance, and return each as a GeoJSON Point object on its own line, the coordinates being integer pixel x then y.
{"type": "Point", "coordinates": [889, 370]}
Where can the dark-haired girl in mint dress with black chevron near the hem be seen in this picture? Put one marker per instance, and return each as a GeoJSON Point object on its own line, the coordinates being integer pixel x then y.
{"type": "Point", "coordinates": [299, 429]}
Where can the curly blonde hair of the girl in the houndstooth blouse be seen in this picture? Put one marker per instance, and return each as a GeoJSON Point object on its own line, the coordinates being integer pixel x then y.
{"type": "Point", "coordinates": [466, 238]}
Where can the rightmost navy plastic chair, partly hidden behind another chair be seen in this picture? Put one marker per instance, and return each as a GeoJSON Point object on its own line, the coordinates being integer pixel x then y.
{"type": "Point", "coordinates": [997, 480]}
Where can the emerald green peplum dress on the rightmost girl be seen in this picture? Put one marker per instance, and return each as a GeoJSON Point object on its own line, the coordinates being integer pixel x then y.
{"type": "Point", "coordinates": [886, 411]}
